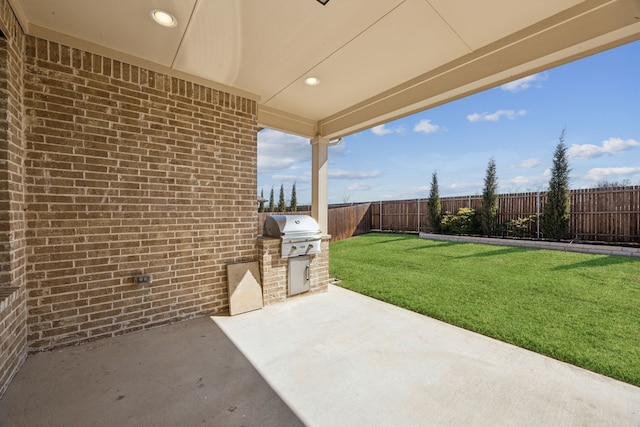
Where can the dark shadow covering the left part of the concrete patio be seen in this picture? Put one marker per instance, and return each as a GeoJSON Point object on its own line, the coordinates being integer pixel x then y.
{"type": "Point", "coordinates": [184, 374]}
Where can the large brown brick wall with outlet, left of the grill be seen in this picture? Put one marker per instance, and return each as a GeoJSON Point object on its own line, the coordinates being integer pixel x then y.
{"type": "Point", "coordinates": [130, 171]}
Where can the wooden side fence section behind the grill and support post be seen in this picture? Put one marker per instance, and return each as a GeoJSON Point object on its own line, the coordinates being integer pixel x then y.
{"type": "Point", "coordinates": [343, 221]}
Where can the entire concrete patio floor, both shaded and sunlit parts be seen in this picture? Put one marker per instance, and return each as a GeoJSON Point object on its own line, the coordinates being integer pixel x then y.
{"type": "Point", "coordinates": [333, 359]}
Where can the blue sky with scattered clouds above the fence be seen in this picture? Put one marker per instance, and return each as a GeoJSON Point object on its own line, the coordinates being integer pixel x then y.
{"type": "Point", "coordinates": [596, 101]}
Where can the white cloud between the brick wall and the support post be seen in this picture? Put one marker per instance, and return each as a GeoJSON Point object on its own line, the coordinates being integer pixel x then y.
{"type": "Point", "coordinates": [279, 151]}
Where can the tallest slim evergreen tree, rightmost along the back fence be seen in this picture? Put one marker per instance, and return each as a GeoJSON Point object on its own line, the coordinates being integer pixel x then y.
{"type": "Point", "coordinates": [555, 219]}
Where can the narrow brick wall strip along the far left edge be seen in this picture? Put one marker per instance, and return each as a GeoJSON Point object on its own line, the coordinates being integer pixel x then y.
{"type": "Point", "coordinates": [13, 311]}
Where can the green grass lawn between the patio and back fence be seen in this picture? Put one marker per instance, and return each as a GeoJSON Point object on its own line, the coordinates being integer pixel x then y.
{"type": "Point", "coordinates": [580, 308]}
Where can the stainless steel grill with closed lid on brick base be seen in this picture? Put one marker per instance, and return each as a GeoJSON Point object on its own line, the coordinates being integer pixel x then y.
{"type": "Point", "coordinates": [300, 234]}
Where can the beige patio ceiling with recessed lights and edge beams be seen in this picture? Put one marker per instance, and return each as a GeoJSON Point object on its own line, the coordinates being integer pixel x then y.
{"type": "Point", "coordinates": [376, 60]}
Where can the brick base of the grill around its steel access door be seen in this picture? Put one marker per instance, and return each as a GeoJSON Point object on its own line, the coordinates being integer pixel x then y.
{"type": "Point", "coordinates": [275, 270]}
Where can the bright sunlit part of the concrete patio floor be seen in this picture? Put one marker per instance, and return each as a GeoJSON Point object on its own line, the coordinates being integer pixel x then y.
{"type": "Point", "coordinates": [343, 359]}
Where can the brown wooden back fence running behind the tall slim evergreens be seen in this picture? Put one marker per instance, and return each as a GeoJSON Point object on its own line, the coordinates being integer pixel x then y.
{"type": "Point", "coordinates": [599, 214]}
